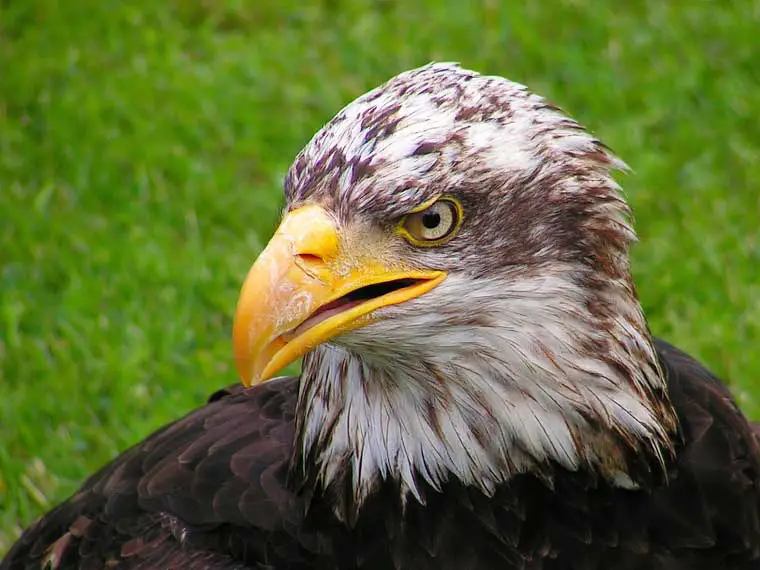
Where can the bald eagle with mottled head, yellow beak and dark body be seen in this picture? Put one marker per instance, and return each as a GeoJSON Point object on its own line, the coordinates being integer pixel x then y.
{"type": "Point", "coordinates": [479, 387]}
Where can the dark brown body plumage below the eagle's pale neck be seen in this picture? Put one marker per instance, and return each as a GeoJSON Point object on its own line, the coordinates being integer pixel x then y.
{"type": "Point", "coordinates": [210, 491]}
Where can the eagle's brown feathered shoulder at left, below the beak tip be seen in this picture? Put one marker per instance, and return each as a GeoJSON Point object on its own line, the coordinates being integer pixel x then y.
{"type": "Point", "coordinates": [204, 491]}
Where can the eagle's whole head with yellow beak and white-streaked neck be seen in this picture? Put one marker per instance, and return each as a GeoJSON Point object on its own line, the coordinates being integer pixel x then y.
{"type": "Point", "coordinates": [453, 266]}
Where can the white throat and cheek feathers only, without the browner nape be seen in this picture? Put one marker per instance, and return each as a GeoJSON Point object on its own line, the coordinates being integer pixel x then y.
{"type": "Point", "coordinates": [525, 365]}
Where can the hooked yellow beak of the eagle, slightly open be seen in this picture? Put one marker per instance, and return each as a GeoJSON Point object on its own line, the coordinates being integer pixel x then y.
{"type": "Point", "coordinates": [305, 289]}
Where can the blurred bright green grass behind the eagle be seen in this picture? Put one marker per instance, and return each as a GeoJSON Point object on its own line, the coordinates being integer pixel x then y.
{"type": "Point", "coordinates": [142, 145]}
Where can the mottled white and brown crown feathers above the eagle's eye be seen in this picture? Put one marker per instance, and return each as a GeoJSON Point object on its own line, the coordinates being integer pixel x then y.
{"type": "Point", "coordinates": [517, 162]}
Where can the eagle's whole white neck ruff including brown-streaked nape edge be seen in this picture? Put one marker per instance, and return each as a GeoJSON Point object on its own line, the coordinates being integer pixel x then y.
{"type": "Point", "coordinates": [533, 386]}
